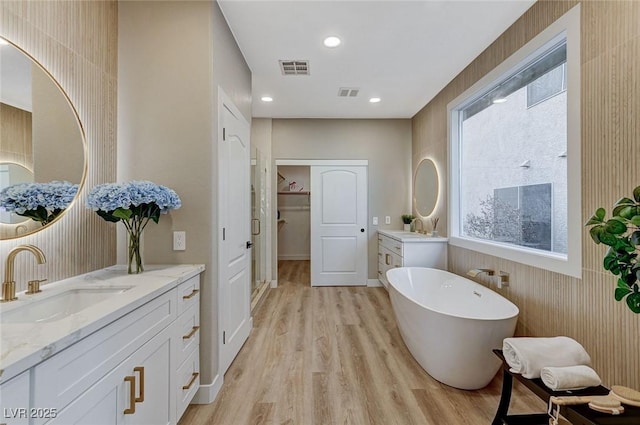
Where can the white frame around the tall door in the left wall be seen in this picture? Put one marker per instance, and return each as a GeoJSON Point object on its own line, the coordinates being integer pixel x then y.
{"type": "Point", "coordinates": [224, 101]}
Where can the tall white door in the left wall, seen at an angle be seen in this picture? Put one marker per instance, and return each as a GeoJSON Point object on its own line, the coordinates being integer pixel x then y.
{"type": "Point", "coordinates": [235, 235]}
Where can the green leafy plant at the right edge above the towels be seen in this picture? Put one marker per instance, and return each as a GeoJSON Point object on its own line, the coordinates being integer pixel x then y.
{"type": "Point", "coordinates": [621, 233]}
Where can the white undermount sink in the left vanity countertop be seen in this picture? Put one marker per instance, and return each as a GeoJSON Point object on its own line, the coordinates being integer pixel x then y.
{"type": "Point", "coordinates": [60, 305]}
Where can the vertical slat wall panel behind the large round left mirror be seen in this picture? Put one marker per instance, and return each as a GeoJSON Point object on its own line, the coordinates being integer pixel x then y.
{"type": "Point", "coordinates": [76, 41]}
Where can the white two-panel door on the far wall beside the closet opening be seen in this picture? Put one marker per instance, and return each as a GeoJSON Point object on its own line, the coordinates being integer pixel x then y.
{"type": "Point", "coordinates": [338, 225]}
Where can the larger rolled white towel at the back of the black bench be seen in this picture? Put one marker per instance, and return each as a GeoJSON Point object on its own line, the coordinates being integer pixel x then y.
{"type": "Point", "coordinates": [528, 355]}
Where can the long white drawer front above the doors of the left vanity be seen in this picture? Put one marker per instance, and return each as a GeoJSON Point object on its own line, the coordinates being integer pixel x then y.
{"type": "Point", "coordinates": [65, 376]}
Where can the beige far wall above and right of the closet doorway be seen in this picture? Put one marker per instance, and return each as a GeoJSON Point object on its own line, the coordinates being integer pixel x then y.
{"type": "Point", "coordinates": [385, 143]}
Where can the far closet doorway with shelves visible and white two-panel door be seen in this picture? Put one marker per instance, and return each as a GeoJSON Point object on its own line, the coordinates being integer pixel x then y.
{"type": "Point", "coordinates": [322, 218]}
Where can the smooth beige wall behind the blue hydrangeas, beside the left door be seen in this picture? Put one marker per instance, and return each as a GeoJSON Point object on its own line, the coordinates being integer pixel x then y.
{"type": "Point", "coordinates": [167, 129]}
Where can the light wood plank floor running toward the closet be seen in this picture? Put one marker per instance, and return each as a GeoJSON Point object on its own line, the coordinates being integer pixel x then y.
{"type": "Point", "coordinates": [333, 355]}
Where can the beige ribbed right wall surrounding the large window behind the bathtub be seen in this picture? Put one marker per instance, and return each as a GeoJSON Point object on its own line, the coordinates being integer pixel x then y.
{"type": "Point", "coordinates": [550, 303]}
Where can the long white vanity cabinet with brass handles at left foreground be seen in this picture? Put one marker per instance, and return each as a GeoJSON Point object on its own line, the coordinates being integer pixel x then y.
{"type": "Point", "coordinates": [140, 368]}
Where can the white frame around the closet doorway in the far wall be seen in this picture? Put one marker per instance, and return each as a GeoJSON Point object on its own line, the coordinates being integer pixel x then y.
{"type": "Point", "coordinates": [274, 183]}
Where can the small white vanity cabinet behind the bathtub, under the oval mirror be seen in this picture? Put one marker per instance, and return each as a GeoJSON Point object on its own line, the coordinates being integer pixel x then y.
{"type": "Point", "coordinates": [404, 249]}
